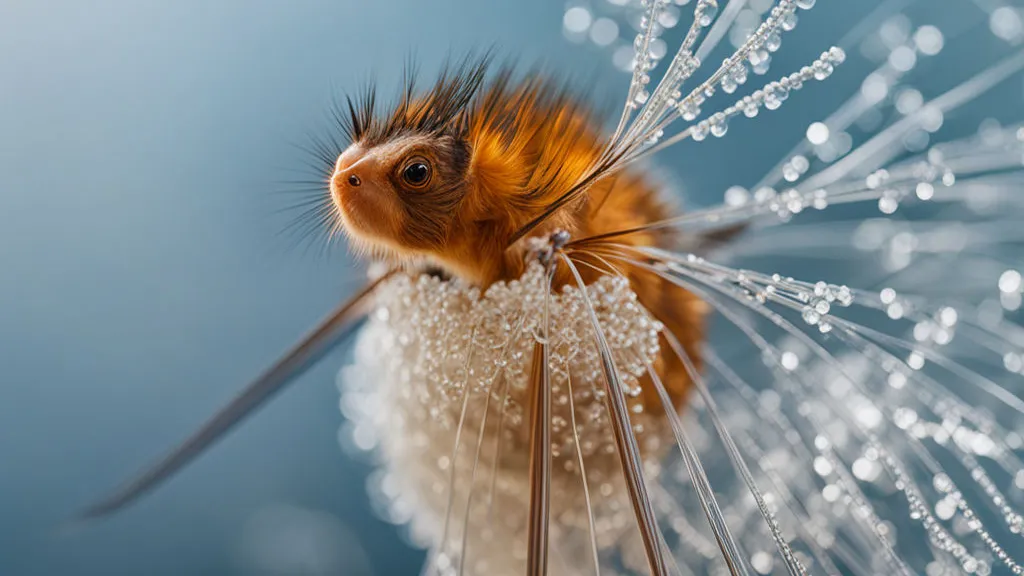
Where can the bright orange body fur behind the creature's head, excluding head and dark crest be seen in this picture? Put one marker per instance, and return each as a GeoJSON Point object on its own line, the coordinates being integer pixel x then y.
{"type": "Point", "coordinates": [554, 143]}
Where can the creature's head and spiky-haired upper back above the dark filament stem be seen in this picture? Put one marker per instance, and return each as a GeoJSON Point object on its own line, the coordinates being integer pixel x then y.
{"type": "Point", "coordinates": [452, 175]}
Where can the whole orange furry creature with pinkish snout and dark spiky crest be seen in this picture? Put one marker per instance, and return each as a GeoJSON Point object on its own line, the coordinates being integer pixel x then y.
{"type": "Point", "coordinates": [510, 150]}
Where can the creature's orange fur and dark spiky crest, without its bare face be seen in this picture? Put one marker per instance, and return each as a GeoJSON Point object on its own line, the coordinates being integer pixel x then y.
{"type": "Point", "coordinates": [528, 143]}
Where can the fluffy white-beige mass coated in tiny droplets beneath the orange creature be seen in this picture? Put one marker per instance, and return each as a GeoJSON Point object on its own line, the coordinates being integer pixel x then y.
{"type": "Point", "coordinates": [441, 365]}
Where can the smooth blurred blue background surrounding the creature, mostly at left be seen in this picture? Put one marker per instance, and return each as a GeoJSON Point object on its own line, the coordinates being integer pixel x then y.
{"type": "Point", "coordinates": [144, 279]}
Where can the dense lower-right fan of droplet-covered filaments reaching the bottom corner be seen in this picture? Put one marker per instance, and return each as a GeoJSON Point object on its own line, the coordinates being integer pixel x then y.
{"type": "Point", "coordinates": [861, 437]}
